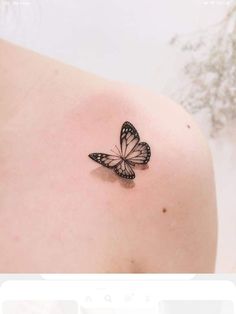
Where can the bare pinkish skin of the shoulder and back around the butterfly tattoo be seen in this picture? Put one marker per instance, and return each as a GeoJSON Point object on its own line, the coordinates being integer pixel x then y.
{"type": "Point", "coordinates": [62, 212]}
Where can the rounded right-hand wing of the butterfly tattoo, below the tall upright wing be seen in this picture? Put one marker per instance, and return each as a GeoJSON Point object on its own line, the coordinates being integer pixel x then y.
{"type": "Point", "coordinates": [140, 154]}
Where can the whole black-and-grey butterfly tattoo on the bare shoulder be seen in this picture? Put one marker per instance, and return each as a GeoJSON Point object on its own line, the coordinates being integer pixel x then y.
{"type": "Point", "coordinates": [131, 152]}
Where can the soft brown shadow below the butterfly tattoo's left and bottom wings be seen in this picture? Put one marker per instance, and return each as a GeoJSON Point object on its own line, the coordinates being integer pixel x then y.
{"type": "Point", "coordinates": [108, 175]}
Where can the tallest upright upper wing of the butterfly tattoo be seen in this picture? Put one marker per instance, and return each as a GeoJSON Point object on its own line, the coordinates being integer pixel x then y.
{"type": "Point", "coordinates": [129, 138]}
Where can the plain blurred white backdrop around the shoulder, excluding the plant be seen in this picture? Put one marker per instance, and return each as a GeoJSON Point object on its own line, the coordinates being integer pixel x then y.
{"type": "Point", "coordinates": [129, 41]}
